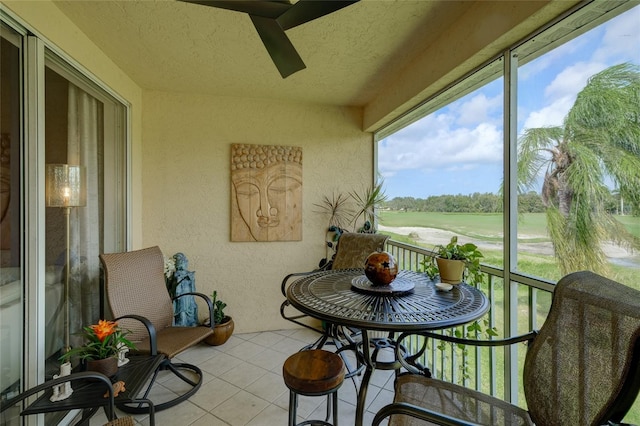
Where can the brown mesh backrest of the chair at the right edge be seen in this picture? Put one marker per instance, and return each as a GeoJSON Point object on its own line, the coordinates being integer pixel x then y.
{"type": "Point", "coordinates": [583, 367]}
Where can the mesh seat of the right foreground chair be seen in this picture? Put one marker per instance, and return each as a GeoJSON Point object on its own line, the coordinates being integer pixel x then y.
{"type": "Point", "coordinates": [455, 401]}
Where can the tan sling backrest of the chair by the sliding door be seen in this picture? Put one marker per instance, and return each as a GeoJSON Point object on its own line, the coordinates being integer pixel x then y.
{"type": "Point", "coordinates": [135, 284]}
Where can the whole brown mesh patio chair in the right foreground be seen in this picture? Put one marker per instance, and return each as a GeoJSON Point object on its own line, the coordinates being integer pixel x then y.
{"type": "Point", "coordinates": [581, 368]}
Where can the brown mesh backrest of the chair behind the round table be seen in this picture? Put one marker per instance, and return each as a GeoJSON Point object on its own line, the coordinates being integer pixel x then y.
{"type": "Point", "coordinates": [354, 248]}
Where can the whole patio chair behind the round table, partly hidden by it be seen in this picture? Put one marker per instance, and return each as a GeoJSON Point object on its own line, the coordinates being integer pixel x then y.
{"type": "Point", "coordinates": [351, 253]}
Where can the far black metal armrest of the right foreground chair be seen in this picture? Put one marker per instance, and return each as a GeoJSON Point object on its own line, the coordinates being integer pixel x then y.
{"type": "Point", "coordinates": [409, 361]}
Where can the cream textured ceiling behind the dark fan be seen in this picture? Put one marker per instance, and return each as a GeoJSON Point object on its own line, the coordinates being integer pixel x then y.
{"type": "Point", "coordinates": [351, 55]}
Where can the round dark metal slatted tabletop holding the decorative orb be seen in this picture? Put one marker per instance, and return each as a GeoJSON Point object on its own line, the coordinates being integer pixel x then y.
{"type": "Point", "coordinates": [330, 296]}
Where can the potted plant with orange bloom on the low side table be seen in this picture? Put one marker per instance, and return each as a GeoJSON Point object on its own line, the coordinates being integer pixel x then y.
{"type": "Point", "coordinates": [104, 342]}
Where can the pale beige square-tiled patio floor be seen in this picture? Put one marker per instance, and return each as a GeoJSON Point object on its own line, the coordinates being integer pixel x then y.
{"type": "Point", "coordinates": [243, 385]}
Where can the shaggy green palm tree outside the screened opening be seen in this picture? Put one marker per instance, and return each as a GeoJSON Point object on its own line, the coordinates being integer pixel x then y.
{"type": "Point", "coordinates": [598, 142]}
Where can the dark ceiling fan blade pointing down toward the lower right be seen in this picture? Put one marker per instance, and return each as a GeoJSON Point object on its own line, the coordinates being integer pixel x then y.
{"type": "Point", "coordinates": [278, 45]}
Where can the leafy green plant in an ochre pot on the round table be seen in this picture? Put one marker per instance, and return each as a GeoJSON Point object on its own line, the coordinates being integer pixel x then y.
{"type": "Point", "coordinates": [452, 260]}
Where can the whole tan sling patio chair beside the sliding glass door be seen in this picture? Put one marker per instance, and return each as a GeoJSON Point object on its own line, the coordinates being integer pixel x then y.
{"type": "Point", "coordinates": [138, 298]}
